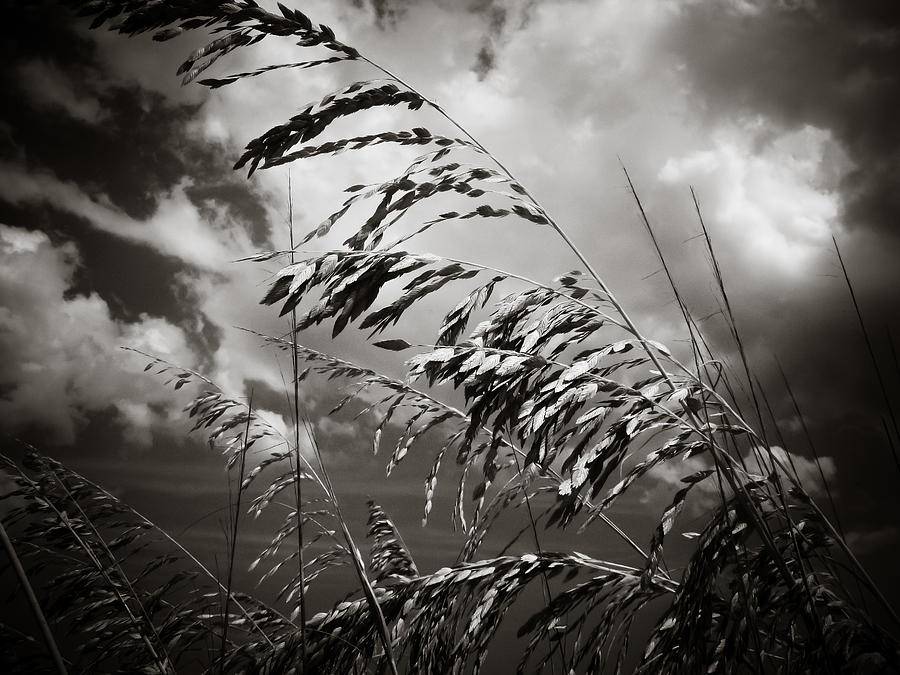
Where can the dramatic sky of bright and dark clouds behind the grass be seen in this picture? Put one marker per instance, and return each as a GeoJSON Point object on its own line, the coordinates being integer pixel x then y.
{"type": "Point", "coordinates": [120, 217]}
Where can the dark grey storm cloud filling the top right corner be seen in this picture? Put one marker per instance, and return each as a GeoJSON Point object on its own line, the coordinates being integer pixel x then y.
{"type": "Point", "coordinates": [826, 63]}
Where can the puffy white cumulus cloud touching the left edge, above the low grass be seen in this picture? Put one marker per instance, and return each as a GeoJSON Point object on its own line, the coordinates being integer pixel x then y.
{"type": "Point", "coordinates": [62, 354]}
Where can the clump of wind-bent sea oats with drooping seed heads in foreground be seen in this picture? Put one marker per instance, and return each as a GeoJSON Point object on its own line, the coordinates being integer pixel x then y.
{"type": "Point", "coordinates": [559, 388]}
